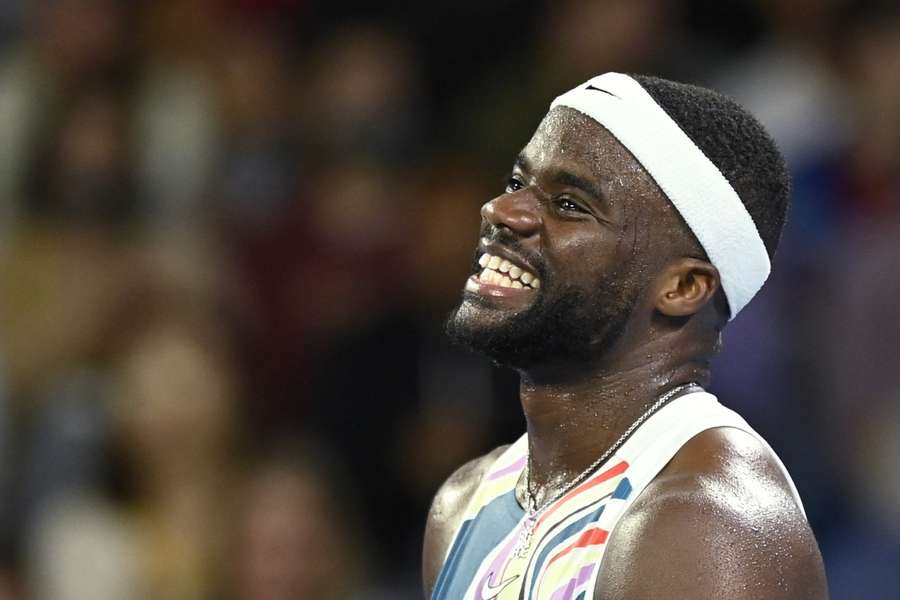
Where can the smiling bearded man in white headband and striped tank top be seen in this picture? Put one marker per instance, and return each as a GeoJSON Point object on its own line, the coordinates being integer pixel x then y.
{"type": "Point", "coordinates": [639, 219]}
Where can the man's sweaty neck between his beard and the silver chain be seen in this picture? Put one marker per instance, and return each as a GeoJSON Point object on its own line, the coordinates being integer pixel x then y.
{"type": "Point", "coordinates": [574, 414]}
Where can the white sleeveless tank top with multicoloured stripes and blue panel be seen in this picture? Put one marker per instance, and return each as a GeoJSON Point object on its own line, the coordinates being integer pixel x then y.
{"type": "Point", "coordinates": [569, 539]}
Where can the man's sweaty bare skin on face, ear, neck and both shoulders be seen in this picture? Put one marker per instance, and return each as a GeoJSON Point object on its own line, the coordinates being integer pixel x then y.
{"type": "Point", "coordinates": [719, 521]}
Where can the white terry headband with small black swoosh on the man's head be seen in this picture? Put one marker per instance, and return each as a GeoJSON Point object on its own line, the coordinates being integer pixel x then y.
{"type": "Point", "coordinates": [694, 185]}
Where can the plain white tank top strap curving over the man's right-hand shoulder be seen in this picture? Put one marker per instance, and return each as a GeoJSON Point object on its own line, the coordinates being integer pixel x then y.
{"type": "Point", "coordinates": [657, 441]}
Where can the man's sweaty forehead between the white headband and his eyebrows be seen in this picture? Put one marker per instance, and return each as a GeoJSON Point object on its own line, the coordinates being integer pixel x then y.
{"type": "Point", "coordinates": [571, 141]}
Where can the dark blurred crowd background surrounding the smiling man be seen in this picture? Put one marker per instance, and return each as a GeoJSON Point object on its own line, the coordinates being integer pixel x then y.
{"type": "Point", "coordinates": [230, 231]}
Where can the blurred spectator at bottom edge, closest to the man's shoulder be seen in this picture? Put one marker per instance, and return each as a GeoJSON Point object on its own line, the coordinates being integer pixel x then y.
{"type": "Point", "coordinates": [297, 533]}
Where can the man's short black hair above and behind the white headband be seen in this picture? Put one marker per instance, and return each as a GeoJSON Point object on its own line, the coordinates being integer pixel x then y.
{"type": "Point", "coordinates": [736, 143]}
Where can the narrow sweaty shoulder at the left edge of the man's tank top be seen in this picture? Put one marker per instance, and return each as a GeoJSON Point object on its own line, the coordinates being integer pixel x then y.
{"type": "Point", "coordinates": [447, 510]}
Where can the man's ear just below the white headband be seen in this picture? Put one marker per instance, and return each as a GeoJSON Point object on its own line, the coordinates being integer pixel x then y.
{"type": "Point", "coordinates": [686, 286]}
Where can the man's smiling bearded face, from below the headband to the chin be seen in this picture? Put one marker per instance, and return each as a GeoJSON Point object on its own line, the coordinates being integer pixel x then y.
{"type": "Point", "coordinates": [562, 259]}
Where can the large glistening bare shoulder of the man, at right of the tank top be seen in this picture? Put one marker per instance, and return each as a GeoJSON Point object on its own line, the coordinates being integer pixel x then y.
{"type": "Point", "coordinates": [719, 521]}
